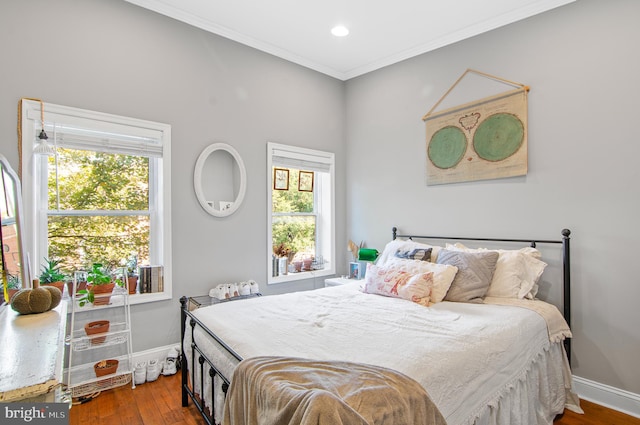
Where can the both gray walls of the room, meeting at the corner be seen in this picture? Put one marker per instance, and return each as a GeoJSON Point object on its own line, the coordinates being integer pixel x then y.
{"type": "Point", "coordinates": [579, 61]}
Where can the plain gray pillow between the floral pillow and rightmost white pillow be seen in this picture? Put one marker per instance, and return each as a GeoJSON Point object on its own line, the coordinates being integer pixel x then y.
{"type": "Point", "coordinates": [475, 270]}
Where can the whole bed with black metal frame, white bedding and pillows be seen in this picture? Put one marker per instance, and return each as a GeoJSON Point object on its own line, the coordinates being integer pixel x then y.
{"type": "Point", "coordinates": [483, 353]}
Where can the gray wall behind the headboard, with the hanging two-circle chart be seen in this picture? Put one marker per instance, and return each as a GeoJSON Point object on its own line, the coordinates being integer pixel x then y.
{"type": "Point", "coordinates": [581, 64]}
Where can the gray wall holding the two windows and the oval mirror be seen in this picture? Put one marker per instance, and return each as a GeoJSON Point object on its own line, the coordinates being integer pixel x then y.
{"type": "Point", "coordinates": [111, 56]}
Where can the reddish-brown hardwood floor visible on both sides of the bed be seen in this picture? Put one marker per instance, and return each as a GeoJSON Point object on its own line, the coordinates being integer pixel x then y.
{"type": "Point", "coordinates": [159, 403]}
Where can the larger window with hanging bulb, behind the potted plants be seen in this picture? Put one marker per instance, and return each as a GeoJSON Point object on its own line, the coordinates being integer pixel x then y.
{"type": "Point", "coordinates": [104, 196]}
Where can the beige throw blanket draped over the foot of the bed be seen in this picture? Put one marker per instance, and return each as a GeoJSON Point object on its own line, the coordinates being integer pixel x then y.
{"type": "Point", "coordinates": [293, 391]}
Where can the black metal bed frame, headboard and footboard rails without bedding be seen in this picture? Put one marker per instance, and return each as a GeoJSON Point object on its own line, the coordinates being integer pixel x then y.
{"type": "Point", "coordinates": [188, 368]}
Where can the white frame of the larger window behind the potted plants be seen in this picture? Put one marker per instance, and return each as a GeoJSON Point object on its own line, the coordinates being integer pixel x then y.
{"type": "Point", "coordinates": [149, 138]}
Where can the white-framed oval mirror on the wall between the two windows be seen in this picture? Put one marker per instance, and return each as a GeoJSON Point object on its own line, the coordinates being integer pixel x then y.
{"type": "Point", "coordinates": [220, 179]}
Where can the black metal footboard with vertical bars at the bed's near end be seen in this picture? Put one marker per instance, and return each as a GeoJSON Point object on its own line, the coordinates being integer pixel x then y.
{"type": "Point", "coordinates": [198, 361]}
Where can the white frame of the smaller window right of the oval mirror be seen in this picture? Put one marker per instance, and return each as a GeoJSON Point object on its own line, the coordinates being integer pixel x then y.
{"type": "Point", "coordinates": [324, 207]}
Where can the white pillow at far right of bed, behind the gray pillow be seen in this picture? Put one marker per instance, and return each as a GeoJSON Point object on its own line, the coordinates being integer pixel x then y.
{"type": "Point", "coordinates": [517, 272]}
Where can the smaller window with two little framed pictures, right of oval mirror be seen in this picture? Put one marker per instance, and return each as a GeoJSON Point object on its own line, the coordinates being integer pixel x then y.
{"type": "Point", "coordinates": [300, 213]}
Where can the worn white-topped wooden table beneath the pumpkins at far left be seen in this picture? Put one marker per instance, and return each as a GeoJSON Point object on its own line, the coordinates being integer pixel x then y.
{"type": "Point", "coordinates": [32, 348]}
